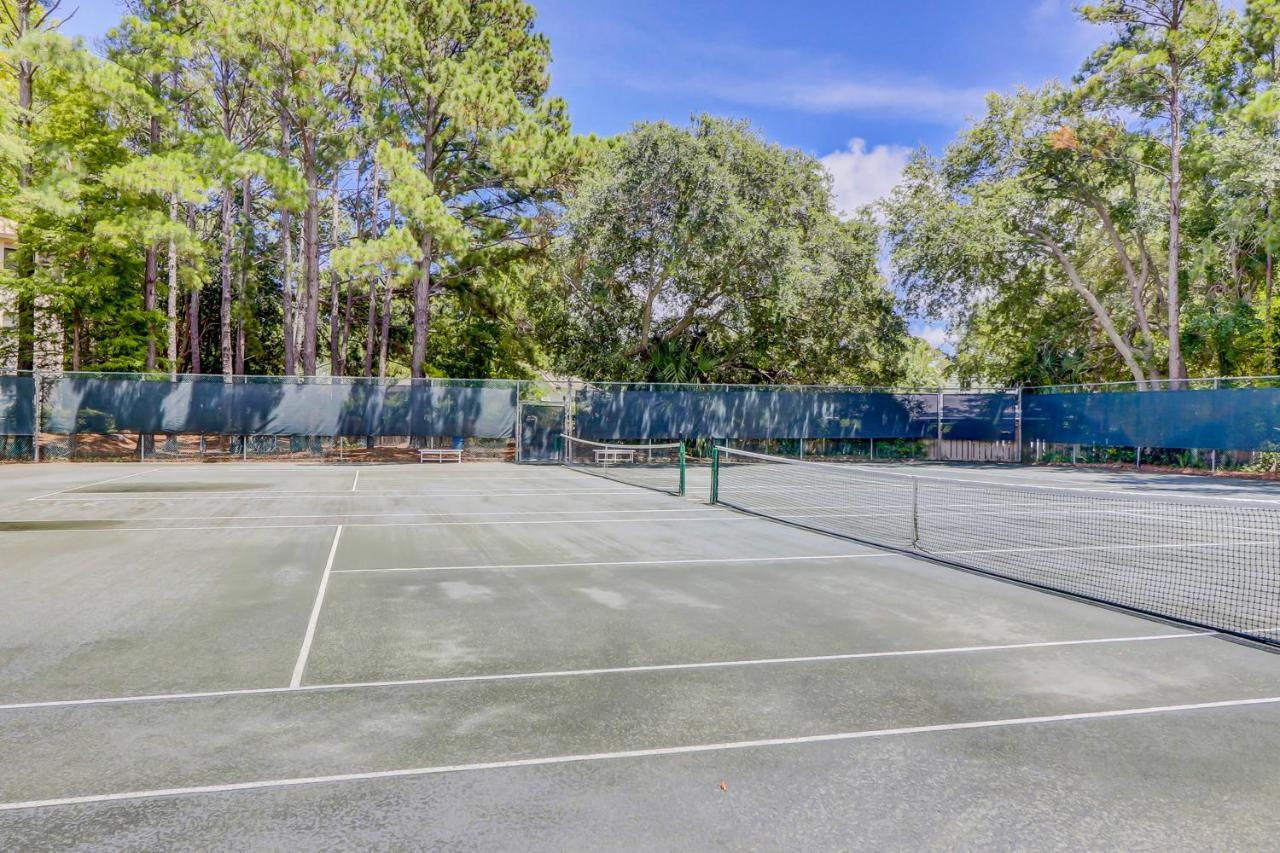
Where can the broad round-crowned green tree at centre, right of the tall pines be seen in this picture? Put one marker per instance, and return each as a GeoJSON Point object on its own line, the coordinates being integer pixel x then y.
{"type": "Point", "coordinates": [707, 254]}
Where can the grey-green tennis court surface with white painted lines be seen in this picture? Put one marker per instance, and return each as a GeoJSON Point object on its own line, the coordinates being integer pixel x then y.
{"type": "Point", "coordinates": [491, 656]}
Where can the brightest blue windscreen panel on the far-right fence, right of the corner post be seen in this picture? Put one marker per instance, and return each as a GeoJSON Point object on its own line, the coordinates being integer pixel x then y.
{"type": "Point", "coordinates": [1222, 419]}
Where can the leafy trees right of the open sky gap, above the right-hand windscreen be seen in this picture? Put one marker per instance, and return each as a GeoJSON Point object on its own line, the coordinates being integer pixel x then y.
{"type": "Point", "coordinates": [1117, 227]}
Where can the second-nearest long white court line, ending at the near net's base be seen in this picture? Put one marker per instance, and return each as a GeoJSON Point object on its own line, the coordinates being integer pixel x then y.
{"type": "Point", "coordinates": [611, 670]}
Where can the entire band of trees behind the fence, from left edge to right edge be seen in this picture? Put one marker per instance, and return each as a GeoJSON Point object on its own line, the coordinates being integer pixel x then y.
{"type": "Point", "coordinates": [387, 189]}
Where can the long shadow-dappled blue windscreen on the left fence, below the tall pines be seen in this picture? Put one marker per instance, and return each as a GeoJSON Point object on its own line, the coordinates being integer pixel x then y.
{"type": "Point", "coordinates": [280, 408]}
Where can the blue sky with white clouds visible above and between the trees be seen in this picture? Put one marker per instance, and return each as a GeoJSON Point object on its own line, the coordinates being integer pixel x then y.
{"type": "Point", "coordinates": [857, 83]}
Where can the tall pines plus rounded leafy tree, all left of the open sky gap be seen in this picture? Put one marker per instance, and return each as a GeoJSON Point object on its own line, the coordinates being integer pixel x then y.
{"type": "Point", "coordinates": [385, 188]}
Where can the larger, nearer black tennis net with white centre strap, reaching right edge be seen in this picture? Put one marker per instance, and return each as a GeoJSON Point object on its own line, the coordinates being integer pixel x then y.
{"type": "Point", "coordinates": [1214, 564]}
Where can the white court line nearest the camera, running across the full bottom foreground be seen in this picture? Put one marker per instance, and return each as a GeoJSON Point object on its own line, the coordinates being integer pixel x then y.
{"type": "Point", "coordinates": [638, 754]}
